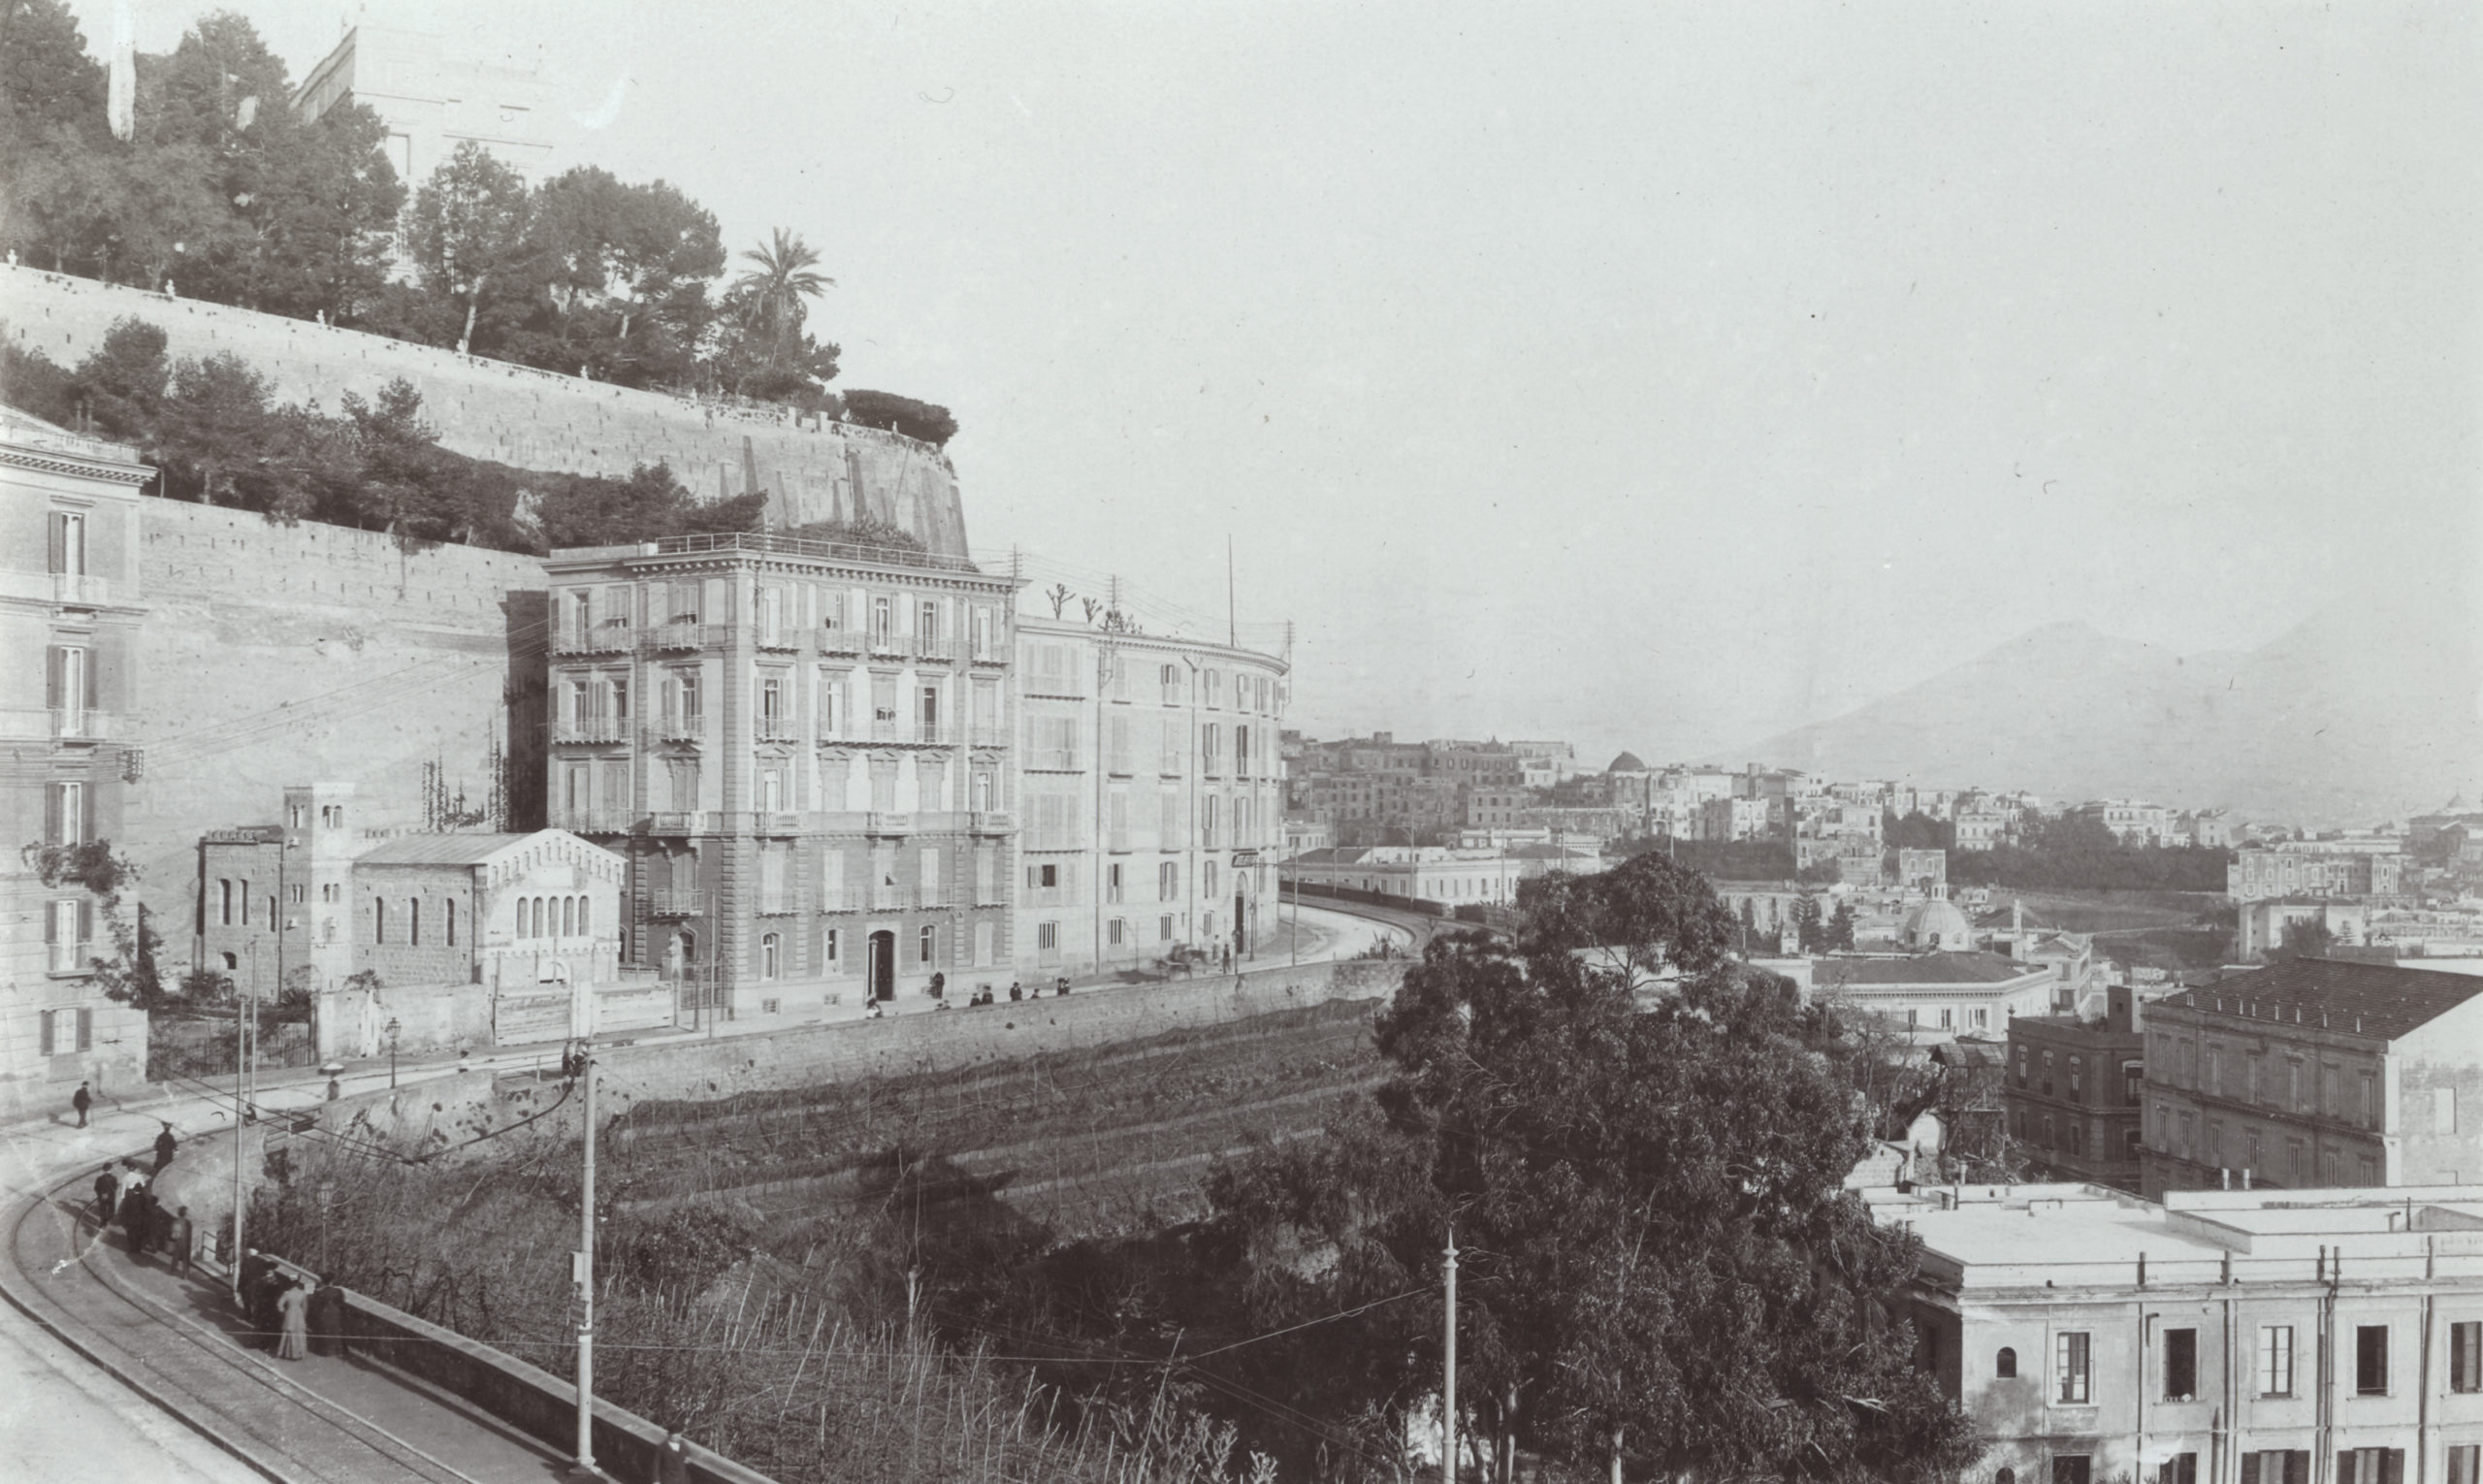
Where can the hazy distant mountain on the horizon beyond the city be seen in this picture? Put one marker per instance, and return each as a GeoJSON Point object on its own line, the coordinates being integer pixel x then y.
{"type": "Point", "coordinates": [2343, 718]}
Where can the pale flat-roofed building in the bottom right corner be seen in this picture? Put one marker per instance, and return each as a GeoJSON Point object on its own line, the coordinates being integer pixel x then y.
{"type": "Point", "coordinates": [2216, 1339]}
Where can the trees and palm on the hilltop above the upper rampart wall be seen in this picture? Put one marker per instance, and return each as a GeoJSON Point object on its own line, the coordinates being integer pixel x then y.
{"type": "Point", "coordinates": [225, 195]}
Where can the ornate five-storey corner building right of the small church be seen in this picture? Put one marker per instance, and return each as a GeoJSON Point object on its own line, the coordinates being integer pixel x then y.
{"type": "Point", "coordinates": [808, 756]}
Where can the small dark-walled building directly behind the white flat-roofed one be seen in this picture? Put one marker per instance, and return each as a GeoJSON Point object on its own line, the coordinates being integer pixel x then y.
{"type": "Point", "coordinates": [2075, 1093]}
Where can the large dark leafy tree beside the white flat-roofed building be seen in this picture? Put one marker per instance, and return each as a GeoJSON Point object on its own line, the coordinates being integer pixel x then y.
{"type": "Point", "coordinates": [1662, 1272]}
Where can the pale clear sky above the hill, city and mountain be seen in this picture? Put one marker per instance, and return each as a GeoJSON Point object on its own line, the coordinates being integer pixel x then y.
{"type": "Point", "coordinates": [1650, 376]}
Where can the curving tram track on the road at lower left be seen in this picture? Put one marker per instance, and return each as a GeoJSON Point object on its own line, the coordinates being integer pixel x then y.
{"type": "Point", "coordinates": [63, 1277]}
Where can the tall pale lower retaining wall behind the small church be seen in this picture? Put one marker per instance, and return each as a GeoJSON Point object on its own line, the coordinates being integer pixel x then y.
{"type": "Point", "coordinates": [319, 654]}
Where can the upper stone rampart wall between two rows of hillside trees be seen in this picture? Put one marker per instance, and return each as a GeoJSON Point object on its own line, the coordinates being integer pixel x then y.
{"type": "Point", "coordinates": [528, 418]}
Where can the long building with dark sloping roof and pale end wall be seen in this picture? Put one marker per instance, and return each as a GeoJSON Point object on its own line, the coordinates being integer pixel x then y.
{"type": "Point", "coordinates": [2315, 1073]}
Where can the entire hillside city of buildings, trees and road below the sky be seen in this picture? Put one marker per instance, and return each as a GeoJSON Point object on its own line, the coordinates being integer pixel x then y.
{"type": "Point", "coordinates": [567, 917]}
